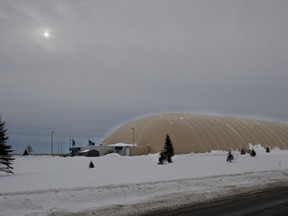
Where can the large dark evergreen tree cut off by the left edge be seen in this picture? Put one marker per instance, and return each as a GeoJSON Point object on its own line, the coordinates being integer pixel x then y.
{"type": "Point", "coordinates": [6, 158]}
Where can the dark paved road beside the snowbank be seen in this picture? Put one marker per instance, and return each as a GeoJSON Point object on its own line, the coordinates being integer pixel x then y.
{"type": "Point", "coordinates": [272, 201]}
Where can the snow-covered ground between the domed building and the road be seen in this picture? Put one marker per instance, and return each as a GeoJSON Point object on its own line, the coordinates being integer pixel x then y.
{"type": "Point", "coordinates": [46, 185]}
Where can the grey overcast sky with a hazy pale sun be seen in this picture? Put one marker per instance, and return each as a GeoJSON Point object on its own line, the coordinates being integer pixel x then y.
{"type": "Point", "coordinates": [82, 68]}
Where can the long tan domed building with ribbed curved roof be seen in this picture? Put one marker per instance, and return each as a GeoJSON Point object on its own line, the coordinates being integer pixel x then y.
{"type": "Point", "coordinates": [198, 133]}
